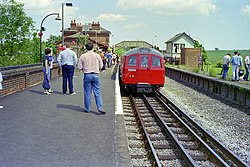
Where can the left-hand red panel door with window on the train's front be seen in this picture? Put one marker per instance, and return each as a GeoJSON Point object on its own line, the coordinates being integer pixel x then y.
{"type": "Point", "coordinates": [131, 73]}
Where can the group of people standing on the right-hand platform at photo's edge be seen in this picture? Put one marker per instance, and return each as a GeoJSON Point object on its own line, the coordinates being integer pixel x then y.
{"type": "Point", "coordinates": [237, 66]}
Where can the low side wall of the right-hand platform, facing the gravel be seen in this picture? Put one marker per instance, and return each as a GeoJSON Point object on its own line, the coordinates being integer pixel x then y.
{"type": "Point", "coordinates": [228, 90]}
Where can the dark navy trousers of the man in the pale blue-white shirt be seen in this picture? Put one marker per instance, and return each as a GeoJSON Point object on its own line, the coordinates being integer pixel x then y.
{"type": "Point", "coordinates": [68, 73]}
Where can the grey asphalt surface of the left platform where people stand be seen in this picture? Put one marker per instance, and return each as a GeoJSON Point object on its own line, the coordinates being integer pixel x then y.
{"type": "Point", "coordinates": [40, 130]}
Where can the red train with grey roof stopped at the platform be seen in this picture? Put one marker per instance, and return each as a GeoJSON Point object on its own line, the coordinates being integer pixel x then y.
{"type": "Point", "coordinates": [142, 70]}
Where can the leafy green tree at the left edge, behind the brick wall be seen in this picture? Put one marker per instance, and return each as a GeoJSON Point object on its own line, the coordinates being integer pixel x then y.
{"type": "Point", "coordinates": [15, 33]}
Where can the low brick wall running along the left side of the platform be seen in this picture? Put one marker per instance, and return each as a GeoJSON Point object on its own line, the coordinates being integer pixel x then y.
{"type": "Point", "coordinates": [22, 78]}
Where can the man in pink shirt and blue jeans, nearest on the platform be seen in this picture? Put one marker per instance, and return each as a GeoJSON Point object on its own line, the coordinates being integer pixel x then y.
{"type": "Point", "coordinates": [90, 64]}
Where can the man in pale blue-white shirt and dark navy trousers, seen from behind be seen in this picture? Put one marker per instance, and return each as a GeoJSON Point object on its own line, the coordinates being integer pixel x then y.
{"type": "Point", "coordinates": [67, 60]}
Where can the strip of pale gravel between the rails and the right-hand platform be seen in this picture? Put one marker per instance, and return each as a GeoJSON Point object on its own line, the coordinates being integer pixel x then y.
{"type": "Point", "coordinates": [228, 122]}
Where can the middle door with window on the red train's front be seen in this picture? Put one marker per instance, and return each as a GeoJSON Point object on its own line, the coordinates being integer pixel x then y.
{"type": "Point", "coordinates": [143, 72]}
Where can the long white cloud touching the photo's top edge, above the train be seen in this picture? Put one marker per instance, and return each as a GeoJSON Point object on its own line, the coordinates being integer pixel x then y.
{"type": "Point", "coordinates": [171, 7]}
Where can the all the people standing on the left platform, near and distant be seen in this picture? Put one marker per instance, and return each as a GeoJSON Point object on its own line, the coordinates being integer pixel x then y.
{"type": "Point", "coordinates": [90, 64]}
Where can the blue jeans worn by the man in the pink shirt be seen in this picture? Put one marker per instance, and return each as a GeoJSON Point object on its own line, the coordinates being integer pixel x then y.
{"type": "Point", "coordinates": [92, 82]}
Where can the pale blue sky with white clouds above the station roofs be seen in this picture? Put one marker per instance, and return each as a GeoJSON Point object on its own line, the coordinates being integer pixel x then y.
{"type": "Point", "coordinates": [223, 24]}
